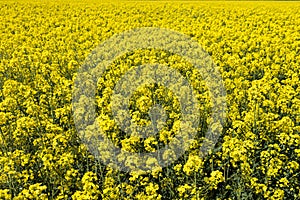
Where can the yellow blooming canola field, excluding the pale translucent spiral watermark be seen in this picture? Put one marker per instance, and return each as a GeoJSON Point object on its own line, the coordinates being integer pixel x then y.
{"type": "Point", "coordinates": [256, 48]}
